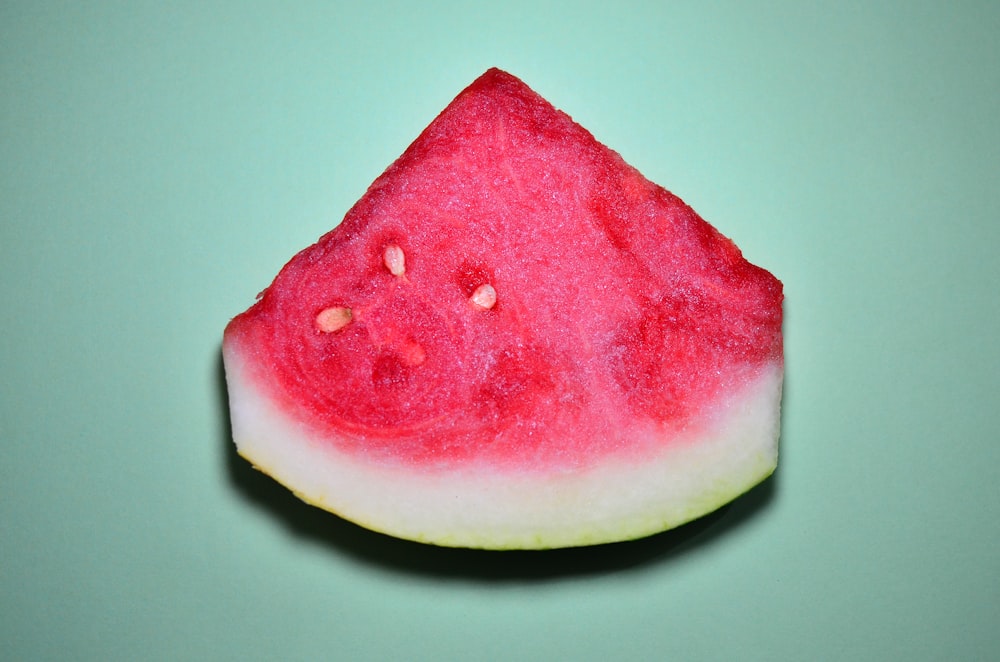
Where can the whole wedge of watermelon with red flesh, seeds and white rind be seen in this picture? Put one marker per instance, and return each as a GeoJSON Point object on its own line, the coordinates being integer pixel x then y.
{"type": "Point", "coordinates": [513, 340]}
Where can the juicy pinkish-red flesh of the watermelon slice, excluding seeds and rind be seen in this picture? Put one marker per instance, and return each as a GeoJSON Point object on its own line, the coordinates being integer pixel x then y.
{"type": "Point", "coordinates": [622, 319]}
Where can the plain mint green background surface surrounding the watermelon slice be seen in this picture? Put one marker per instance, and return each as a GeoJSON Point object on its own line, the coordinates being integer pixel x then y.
{"type": "Point", "coordinates": [158, 166]}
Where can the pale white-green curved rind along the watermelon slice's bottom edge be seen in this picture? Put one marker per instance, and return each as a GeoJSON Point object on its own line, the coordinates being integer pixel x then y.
{"type": "Point", "coordinates": [617, 500]}
